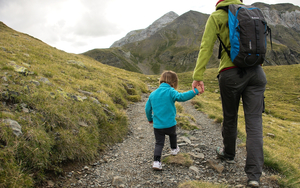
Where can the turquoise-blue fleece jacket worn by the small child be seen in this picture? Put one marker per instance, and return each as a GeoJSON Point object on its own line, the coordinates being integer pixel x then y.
{"type": "Point", "coordinates": [160, 107]}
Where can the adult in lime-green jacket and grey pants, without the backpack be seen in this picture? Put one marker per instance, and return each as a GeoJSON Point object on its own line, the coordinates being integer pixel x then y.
{"type": "Point", "coordinates": [235, 82]}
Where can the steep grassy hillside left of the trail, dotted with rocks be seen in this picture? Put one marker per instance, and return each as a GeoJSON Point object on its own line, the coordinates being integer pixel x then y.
{"type": "Point", "coordinates": [69, 107]}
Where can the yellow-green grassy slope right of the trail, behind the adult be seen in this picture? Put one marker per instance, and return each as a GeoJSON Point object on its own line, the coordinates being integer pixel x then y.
{"type": "Point", "coordinates": [281, 121]}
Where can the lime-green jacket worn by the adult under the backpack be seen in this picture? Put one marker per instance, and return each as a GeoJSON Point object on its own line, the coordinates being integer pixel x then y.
{"type": "Point", "coordinates": [215, 25]}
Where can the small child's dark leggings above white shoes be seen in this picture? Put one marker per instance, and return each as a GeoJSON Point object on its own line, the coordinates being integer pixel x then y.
{"type": "Point", "coordinates": [160, 140]}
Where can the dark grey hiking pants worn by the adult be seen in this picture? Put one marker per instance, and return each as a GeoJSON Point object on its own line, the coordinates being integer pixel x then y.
{"type": "Point", "coordinates": [251, 88]}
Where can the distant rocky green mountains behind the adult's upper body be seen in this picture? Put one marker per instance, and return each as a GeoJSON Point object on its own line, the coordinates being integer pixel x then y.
{"type": "Point", "coordinates": [176, 45]}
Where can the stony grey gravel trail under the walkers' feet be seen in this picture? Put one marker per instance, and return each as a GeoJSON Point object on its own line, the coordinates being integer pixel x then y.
{"type": "Point", "coordinates": [129, 164]}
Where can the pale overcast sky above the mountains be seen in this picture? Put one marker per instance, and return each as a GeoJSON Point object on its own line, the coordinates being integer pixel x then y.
{"type": "Point", "coordinates": [77, 26]}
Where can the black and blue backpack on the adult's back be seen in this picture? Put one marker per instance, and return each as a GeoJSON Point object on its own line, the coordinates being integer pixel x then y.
{"type": "Point", "coordinates": [248, 32]}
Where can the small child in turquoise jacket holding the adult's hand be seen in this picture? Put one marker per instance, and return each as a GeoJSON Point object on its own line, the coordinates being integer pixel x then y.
{"type": "Point", "coordinates": [160, 110]}
